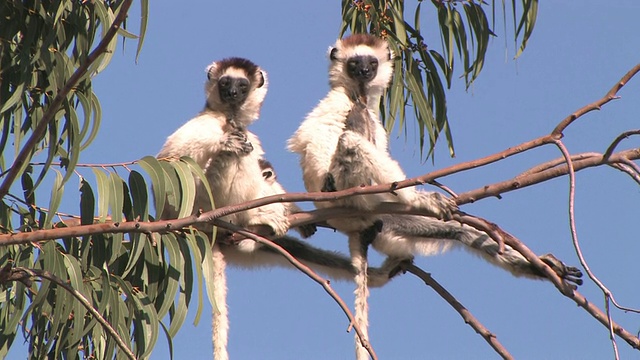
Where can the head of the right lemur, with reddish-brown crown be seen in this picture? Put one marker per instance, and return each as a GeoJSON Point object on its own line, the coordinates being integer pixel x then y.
{"type": "Point", "coordinates": [361, 63]}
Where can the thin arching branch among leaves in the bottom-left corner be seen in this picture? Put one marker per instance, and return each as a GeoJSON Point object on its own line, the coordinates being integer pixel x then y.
{"type": "Point", "coordinates": [24, 275]}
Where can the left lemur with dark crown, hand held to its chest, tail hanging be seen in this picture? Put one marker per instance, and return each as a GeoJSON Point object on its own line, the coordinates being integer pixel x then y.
{"type": "Point", "coordinates": [218, 140]}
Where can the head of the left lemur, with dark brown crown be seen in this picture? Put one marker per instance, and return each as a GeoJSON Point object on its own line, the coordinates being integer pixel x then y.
{"type": "Point", "coordinates": [236, 87]}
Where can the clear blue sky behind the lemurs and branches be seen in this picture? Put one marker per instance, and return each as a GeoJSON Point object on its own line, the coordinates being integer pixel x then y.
{"type": "Point", "coordinates": [577, 52]}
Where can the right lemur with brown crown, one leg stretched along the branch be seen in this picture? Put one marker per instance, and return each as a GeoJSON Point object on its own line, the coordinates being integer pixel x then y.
{"type": "Point", "coordinates": [342, 144]}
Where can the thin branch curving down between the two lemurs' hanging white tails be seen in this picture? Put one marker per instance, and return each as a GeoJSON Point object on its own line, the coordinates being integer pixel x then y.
{"type": "Point", "coordinates": [307, 271]}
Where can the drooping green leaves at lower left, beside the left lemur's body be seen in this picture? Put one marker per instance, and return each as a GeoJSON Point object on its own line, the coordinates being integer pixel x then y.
{"type": "Point", "coordinates": [140, 283]}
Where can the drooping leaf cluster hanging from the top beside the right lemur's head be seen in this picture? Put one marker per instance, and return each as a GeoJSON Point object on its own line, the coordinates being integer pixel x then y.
{"type": "Point", "coordinates": [424, 63]}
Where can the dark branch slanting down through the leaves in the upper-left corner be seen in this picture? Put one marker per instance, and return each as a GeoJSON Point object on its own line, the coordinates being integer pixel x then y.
{"type": "Point", "coordinates": [49, 115]}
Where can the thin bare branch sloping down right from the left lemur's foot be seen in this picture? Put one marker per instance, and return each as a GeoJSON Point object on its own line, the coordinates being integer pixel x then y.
{"type": "Point", "coordinates": [468, 318]}
